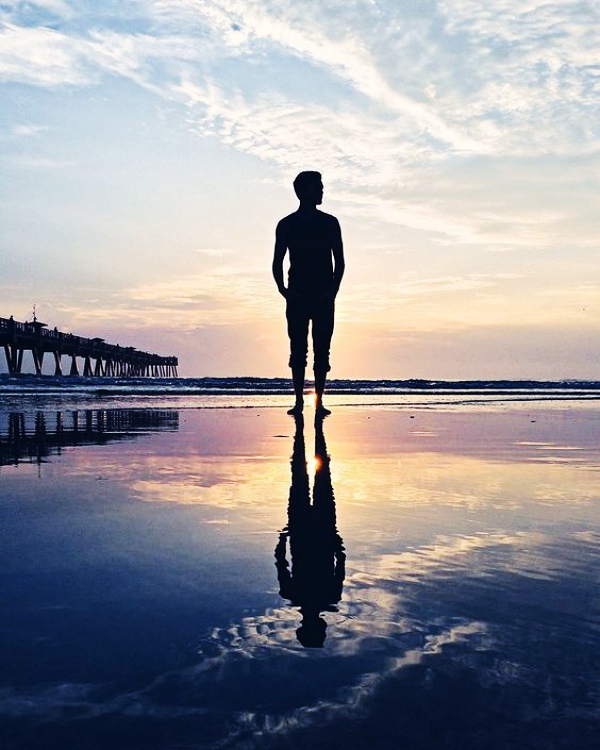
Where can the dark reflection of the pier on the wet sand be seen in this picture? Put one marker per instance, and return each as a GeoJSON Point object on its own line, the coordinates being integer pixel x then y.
{"type": "Point", "coordinates": [34, 437]}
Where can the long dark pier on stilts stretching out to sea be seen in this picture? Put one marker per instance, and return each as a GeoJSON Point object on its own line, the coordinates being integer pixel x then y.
{"type": "Point", "coordinates": [88, 357]}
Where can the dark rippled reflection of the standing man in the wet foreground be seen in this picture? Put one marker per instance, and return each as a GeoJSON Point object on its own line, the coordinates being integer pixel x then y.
{"type": "Point", "coordinates": [315, 580]}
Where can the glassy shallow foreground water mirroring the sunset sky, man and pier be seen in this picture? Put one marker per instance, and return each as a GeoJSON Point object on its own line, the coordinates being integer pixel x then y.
{"type": "Point", "coordinates": [444, 581]}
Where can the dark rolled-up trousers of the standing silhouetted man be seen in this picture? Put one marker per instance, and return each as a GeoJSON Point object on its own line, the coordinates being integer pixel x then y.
{"type": "Point", "coordinates": [299, 312]}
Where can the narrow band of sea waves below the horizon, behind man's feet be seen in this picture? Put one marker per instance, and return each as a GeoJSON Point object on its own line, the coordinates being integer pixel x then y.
{"type": "Point", "coordinates": [75, 392]}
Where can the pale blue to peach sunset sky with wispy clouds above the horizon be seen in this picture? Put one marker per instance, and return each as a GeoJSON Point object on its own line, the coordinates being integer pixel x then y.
{"type": "Point", "coordinates": [148, 149]}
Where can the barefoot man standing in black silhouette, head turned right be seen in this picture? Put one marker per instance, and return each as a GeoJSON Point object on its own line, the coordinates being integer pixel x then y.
{"type": "Point", "coordinates": [314, 242]}
